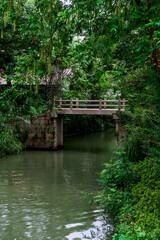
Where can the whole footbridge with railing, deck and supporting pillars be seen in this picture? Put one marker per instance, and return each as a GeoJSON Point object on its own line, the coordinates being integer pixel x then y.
{"type": "Point", "coordinates": [83, 107]}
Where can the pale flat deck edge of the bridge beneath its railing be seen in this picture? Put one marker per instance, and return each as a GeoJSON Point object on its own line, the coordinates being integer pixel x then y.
{"type": "Point", "coordinates": [81, 111]}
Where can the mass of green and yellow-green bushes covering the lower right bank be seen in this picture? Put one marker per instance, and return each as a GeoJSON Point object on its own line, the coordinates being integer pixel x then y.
{"type": "Point", "coordinates": [131, 193]}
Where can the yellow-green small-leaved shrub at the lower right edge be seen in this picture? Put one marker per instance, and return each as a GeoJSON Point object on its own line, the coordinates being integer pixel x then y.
{"type": "Point", "coordinates": [146, 194]}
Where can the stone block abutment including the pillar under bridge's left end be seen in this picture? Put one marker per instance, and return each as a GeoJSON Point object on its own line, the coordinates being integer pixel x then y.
{"type": "Point", "coordinates": [43, 131]}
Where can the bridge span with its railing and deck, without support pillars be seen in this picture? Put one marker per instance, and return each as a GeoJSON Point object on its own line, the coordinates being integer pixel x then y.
{"type": "Point", "coordinates": [88, 107]}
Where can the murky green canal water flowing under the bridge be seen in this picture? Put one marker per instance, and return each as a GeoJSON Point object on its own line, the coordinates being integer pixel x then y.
{"type": "Point", "coordinates": [40, 192]}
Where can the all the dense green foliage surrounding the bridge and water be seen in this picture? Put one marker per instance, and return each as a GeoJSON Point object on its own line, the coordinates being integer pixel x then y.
{"type": "Point", "coordinates": [113, 49]}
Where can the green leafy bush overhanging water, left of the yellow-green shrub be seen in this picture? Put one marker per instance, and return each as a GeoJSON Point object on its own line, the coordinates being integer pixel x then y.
{"type": "Point", "coordinates": [116, 180]}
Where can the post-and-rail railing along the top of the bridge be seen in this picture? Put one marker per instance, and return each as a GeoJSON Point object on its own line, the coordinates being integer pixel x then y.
{"type": "Point", "coordinates": [89, 104]}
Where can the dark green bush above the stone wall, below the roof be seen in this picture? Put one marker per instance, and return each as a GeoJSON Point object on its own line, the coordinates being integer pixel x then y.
{"type": "Point", "coordinates": [18, 100]}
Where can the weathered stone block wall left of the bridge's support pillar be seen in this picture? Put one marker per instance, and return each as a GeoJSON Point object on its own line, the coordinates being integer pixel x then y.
{"type": "Point", "coordinates": [37, 132]}
